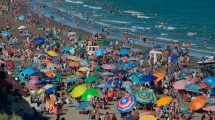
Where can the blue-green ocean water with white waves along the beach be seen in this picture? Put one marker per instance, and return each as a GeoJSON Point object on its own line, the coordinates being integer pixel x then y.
{"type": "Point", "coordinates": [184, 18]}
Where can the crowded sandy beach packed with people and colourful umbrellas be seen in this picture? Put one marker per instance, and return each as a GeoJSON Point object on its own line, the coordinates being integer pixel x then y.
{"type": "Point", "coordinates": [52, 71]}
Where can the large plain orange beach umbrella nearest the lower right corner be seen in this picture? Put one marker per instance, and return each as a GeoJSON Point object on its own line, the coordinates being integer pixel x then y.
{"type": "Point", "coordinates": [197, 103]}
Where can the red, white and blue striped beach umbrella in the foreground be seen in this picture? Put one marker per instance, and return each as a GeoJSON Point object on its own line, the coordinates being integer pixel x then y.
{"type": "Point", "coordinates": [126, 104]}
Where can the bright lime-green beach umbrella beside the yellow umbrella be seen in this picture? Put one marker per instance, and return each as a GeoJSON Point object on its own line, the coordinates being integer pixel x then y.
{"type": "Point", "coordinates": [88, 93]}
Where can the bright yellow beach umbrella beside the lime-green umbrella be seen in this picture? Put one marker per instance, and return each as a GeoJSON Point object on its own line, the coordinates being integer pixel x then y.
{"type": "Point", "coordinates": [78, 91]}
